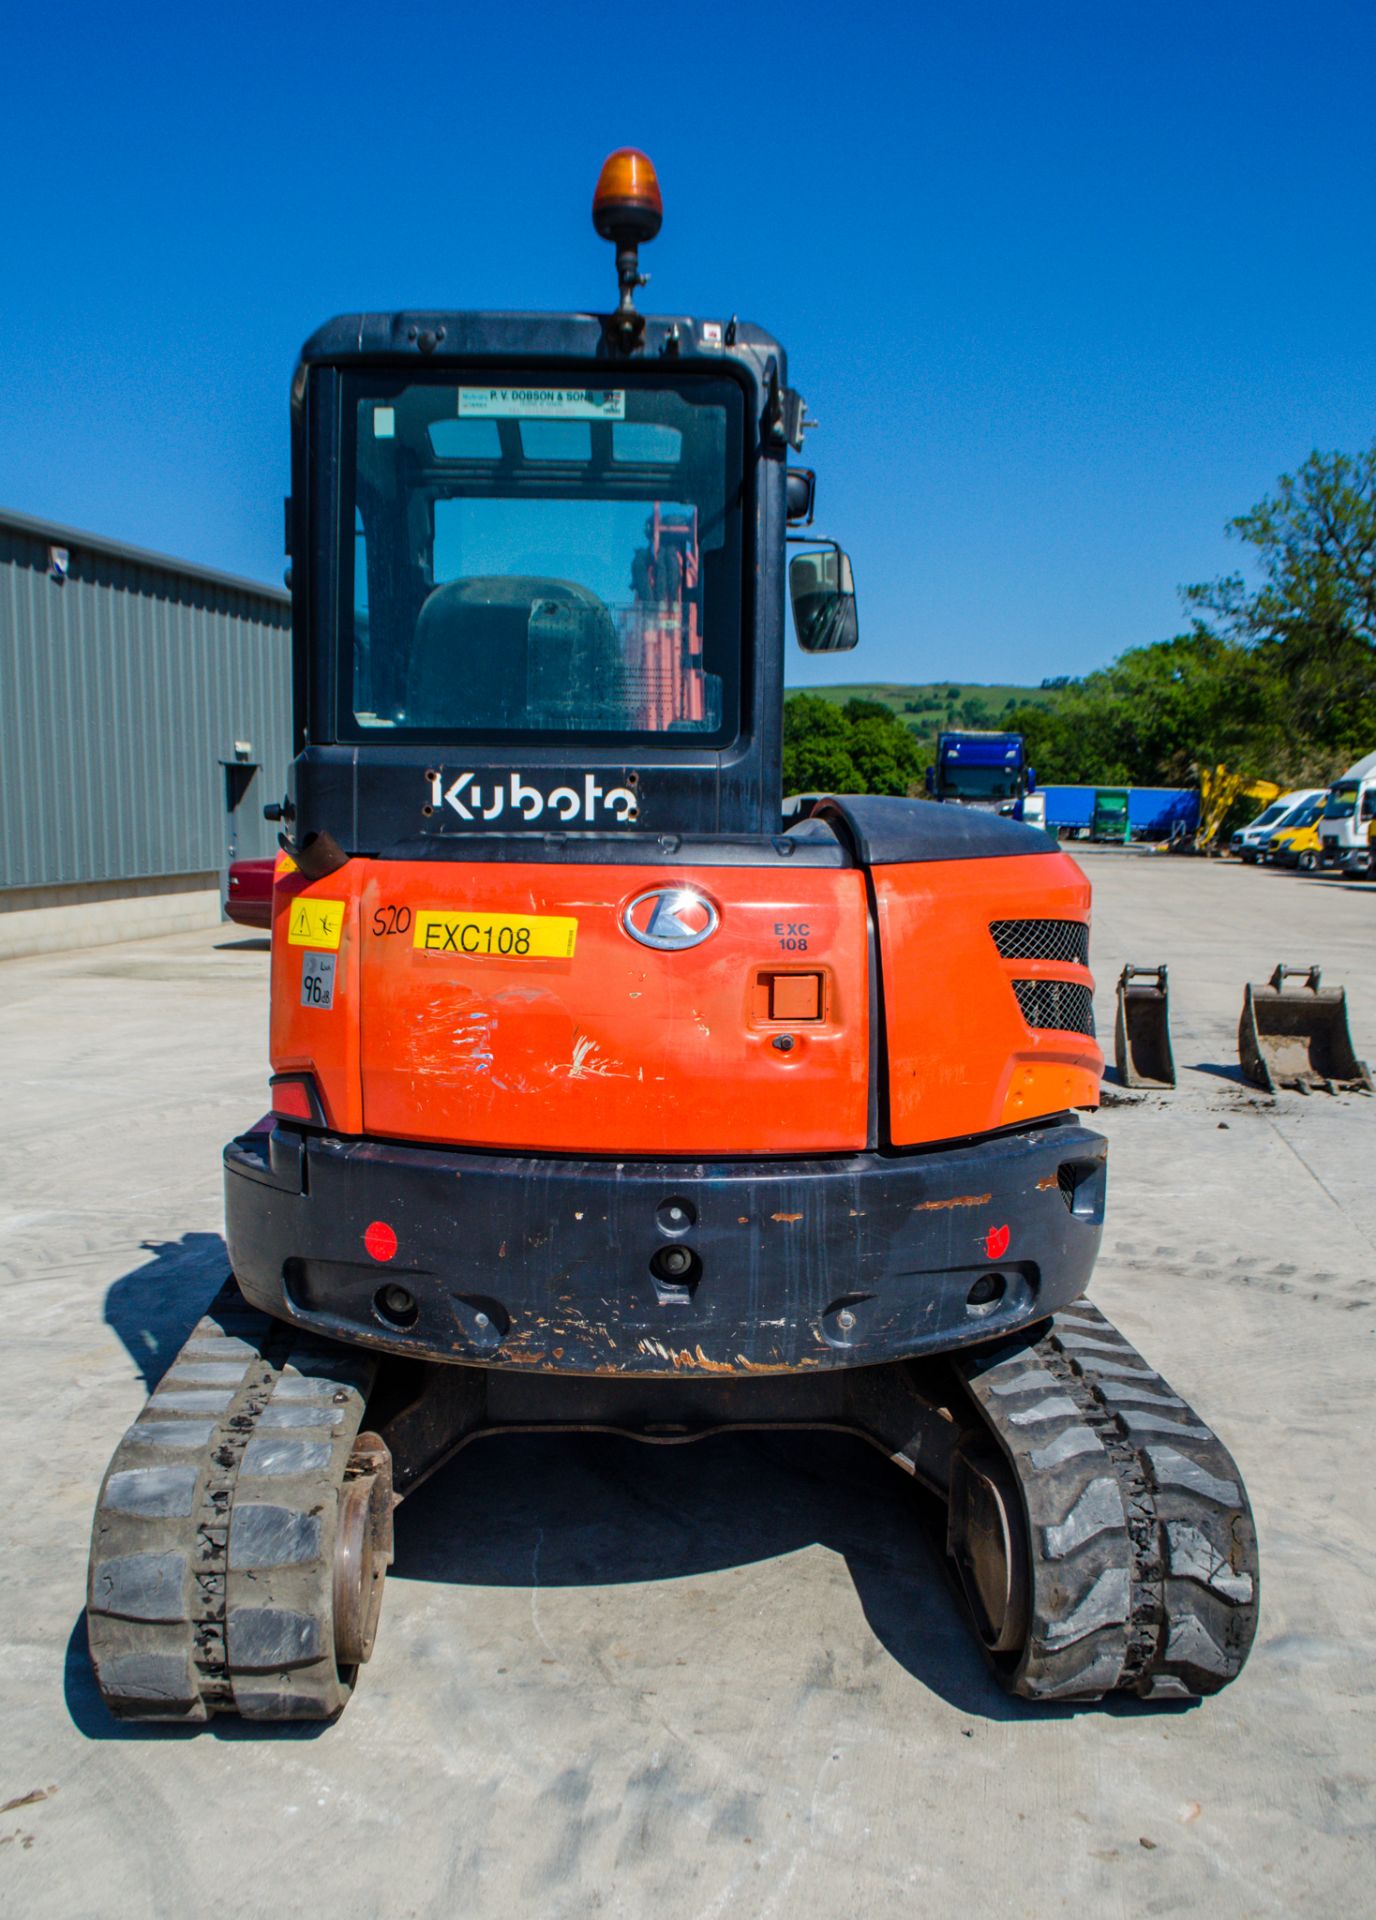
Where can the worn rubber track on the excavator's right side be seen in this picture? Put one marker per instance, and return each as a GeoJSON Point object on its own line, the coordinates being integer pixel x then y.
{"type": "Point", "coordinates": [1145, 1554]}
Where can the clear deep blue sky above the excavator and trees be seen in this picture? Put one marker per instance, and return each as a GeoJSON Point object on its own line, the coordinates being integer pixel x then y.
{"type": "Point", "coordinates": [1066, 285]}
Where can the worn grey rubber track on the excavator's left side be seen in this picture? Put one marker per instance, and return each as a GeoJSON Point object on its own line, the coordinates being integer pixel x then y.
{"type": "Point", "coordinates": [212, 1556]}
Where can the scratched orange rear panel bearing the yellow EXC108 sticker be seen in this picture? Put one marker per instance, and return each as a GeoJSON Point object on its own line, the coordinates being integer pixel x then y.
{"type": "Point", "coordinates": [619, 1049]}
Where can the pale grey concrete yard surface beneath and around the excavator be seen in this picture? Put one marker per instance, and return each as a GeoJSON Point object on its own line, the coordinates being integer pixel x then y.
{"type": "Point", "coordinates": [724, 1679]}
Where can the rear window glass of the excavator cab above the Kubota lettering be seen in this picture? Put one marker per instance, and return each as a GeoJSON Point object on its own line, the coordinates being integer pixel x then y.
{"type": "Point", "coordinates": [542, 562]}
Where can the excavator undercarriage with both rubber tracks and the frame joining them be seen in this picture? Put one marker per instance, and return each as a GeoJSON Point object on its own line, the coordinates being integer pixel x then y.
{"type": "Point", "coordinates": [1097, 1527]}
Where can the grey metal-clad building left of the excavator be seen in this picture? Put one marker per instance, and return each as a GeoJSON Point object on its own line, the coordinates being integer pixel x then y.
{"type": "Point", "coordinates": [141, 702]}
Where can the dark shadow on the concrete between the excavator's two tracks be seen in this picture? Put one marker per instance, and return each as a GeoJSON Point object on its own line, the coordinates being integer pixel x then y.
{"type": "Point", "coordinates": [598, 1510]}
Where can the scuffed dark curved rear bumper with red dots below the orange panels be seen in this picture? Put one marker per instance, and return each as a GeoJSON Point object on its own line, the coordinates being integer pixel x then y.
{"type": "Point", "coordinates": [559, 1264]}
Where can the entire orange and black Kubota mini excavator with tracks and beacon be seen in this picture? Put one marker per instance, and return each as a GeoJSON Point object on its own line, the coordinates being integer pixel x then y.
{"type": "Point", "coordinates": [611, 1092]}
